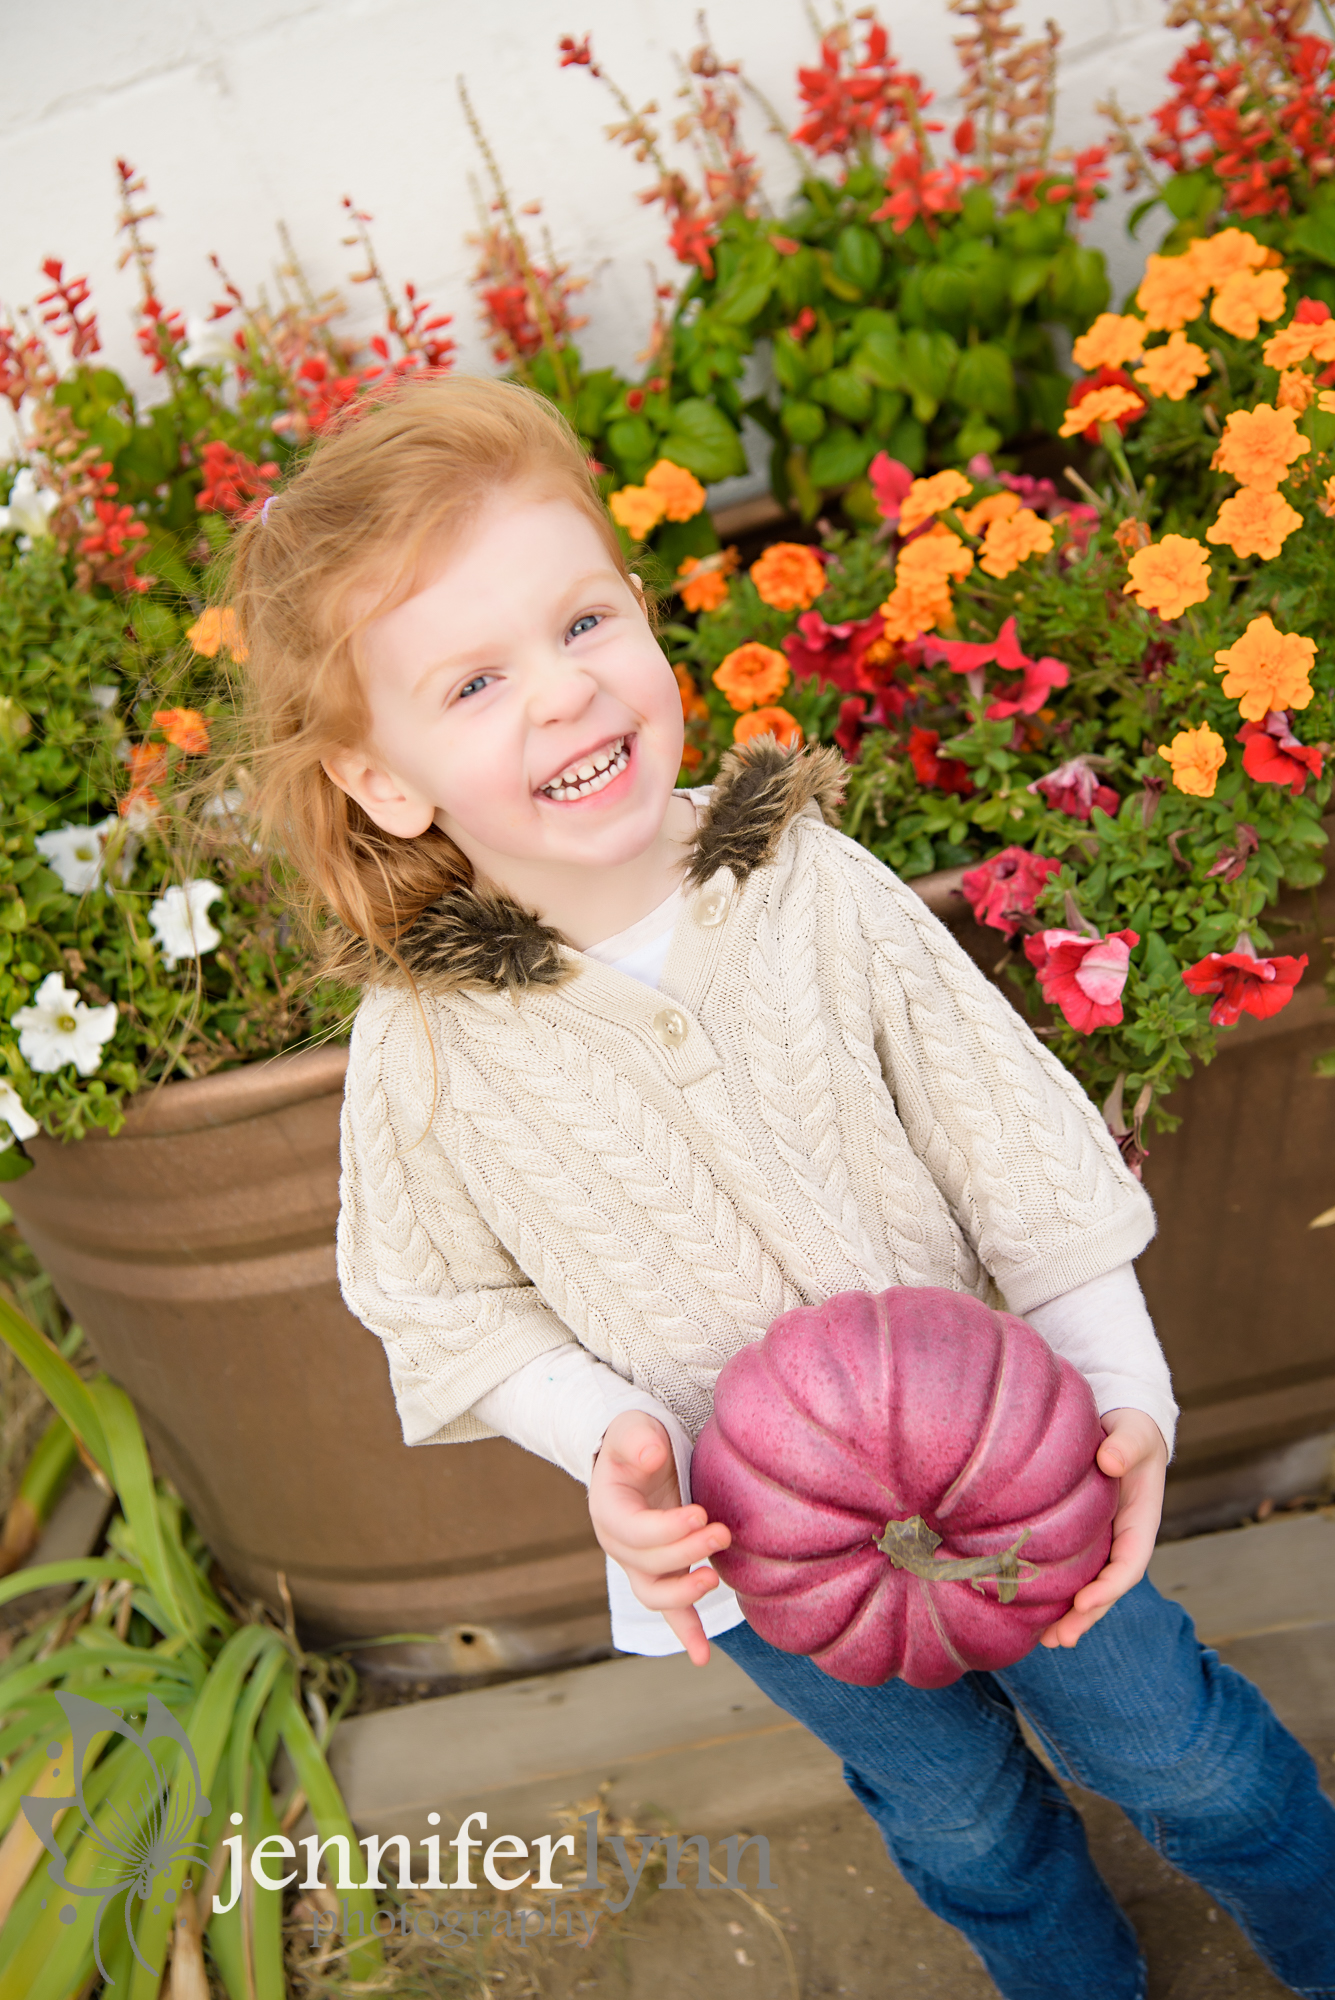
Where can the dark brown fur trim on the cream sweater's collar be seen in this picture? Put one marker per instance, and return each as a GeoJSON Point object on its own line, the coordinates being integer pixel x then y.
{"type": "Point", "coordinates": [483, 941]}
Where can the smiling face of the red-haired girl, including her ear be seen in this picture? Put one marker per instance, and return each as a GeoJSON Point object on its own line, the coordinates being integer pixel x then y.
{"type": "Point", "coordinates": [521, 703]}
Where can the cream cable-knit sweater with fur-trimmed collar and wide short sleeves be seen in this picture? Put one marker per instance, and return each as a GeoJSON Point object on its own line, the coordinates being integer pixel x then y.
{"type": "Point", "coordinates": [824, 1095]}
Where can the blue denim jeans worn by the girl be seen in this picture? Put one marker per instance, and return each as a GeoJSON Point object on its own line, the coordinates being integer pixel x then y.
{"type": "Point", "coordinates": [1138, 1711]}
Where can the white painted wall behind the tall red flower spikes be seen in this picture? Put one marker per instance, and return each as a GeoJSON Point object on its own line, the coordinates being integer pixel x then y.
{"type": "Point", "coordinates": [255, 111]}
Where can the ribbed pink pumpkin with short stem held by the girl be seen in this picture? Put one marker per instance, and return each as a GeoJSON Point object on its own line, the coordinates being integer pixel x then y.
{"type": "Point", "coordinates": [910, 1483]}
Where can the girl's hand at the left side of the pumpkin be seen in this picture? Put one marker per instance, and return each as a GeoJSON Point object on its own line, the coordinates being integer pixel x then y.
{"type": "Point", "coordinates": [641, 1523]}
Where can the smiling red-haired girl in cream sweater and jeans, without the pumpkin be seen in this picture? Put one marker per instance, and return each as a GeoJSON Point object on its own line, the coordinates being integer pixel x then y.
{"type": "Point", "coordinates": [635, 1073]}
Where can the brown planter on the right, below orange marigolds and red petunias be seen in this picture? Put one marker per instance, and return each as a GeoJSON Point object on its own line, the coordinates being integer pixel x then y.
{"type": "Point", "coordinates": [1236, 1279]}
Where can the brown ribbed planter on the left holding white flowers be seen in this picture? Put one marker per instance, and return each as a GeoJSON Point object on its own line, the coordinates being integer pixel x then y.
{"type": "Point", "coordinates": [197, 1249]}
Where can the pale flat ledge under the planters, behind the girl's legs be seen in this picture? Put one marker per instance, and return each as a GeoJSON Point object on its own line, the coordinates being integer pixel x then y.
{"type": "Point", "coordinates": [704, 1749]}
